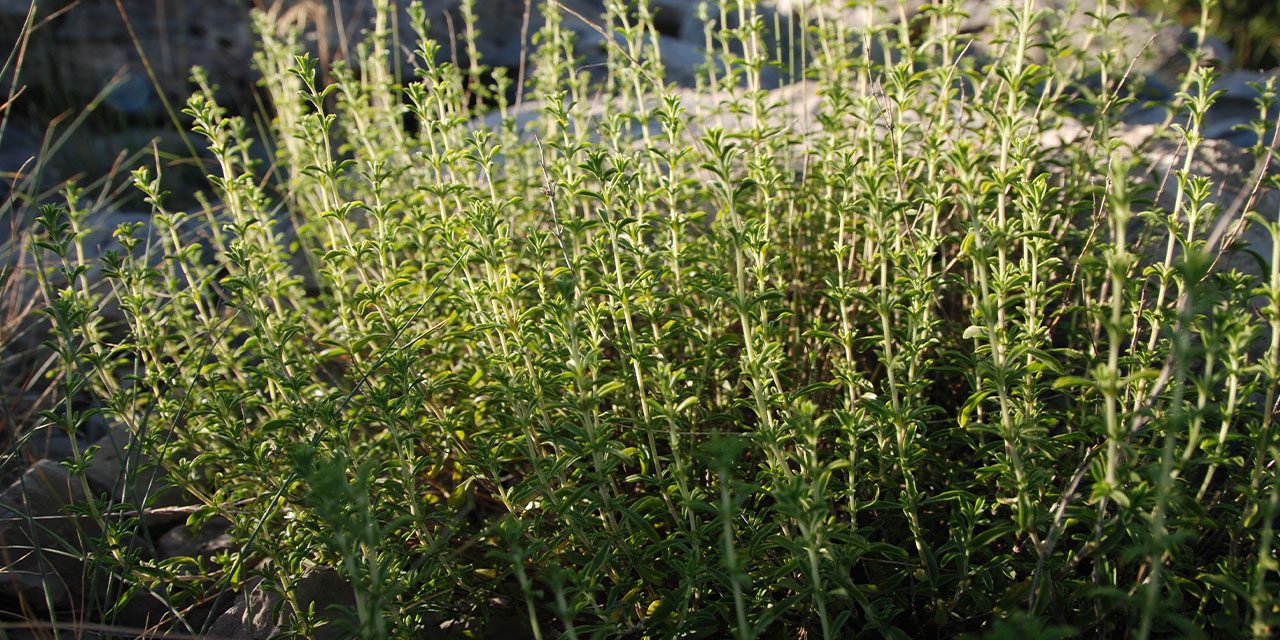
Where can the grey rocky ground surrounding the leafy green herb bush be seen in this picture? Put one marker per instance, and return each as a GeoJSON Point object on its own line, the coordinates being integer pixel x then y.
{"type": "Point", "coordinates": [74, 54]}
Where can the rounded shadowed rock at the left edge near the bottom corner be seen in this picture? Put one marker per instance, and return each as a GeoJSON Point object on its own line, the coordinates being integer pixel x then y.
{"type": "Point", "coordinates": [39, 543]}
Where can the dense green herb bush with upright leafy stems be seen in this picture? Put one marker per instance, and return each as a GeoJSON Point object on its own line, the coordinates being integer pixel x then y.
{"type": "Point", "coordinates": [627, 362]}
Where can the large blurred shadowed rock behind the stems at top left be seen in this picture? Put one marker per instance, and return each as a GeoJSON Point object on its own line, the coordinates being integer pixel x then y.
{"type": "Point", "coordinates": [83, 49]}
